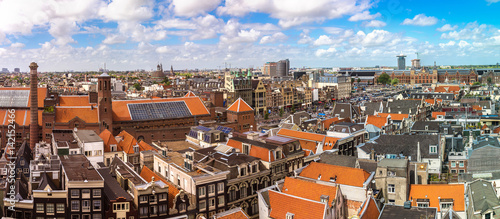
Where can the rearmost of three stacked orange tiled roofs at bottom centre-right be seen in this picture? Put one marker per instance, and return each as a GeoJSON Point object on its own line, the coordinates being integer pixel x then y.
{"type": "Point", "coordinates": [345, 175]}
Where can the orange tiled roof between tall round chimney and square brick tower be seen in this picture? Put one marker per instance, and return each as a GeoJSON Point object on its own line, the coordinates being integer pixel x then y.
{"type": "Point", "coordinates": [87, 114]}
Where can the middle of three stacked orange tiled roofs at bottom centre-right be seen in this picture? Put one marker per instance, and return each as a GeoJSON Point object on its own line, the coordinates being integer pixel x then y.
{"type": "Point", "coordinates": [308, 190]}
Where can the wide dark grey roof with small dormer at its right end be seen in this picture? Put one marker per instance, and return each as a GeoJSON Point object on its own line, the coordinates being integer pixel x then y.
{"type": "Point", "coordinates": [402, 144]}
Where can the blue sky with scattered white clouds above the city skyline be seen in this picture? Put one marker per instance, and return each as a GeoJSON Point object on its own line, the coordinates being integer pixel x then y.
{"type": "Point", "coordinates": [82, 35]}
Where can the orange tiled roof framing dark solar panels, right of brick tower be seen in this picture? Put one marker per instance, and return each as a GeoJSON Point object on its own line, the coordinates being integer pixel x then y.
{"type": "Point", "coordinates": [121, 112]}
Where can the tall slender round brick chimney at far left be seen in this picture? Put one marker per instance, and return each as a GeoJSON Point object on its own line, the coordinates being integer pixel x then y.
{"type": "Point", "coordinates": [34, 105]}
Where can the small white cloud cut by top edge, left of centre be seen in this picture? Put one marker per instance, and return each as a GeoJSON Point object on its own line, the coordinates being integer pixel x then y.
{"type": "Point", "coordinates": [190, 8]}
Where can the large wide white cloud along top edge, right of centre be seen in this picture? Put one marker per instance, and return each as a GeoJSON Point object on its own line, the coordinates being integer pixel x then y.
{"type": "Point", "coordinates": [295, 12]}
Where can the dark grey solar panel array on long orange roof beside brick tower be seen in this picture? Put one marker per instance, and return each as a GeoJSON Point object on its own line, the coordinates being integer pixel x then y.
{"type": "Point", "coordinates": [162, 110]}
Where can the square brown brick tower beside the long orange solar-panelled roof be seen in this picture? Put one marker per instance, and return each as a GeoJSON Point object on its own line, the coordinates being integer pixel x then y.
{"type": "Point", "coordinates": [104, 102]}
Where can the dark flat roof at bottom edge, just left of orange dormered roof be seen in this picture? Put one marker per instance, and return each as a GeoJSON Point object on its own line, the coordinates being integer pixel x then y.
{"type": "Point", "coordinates": [394, 211]}
